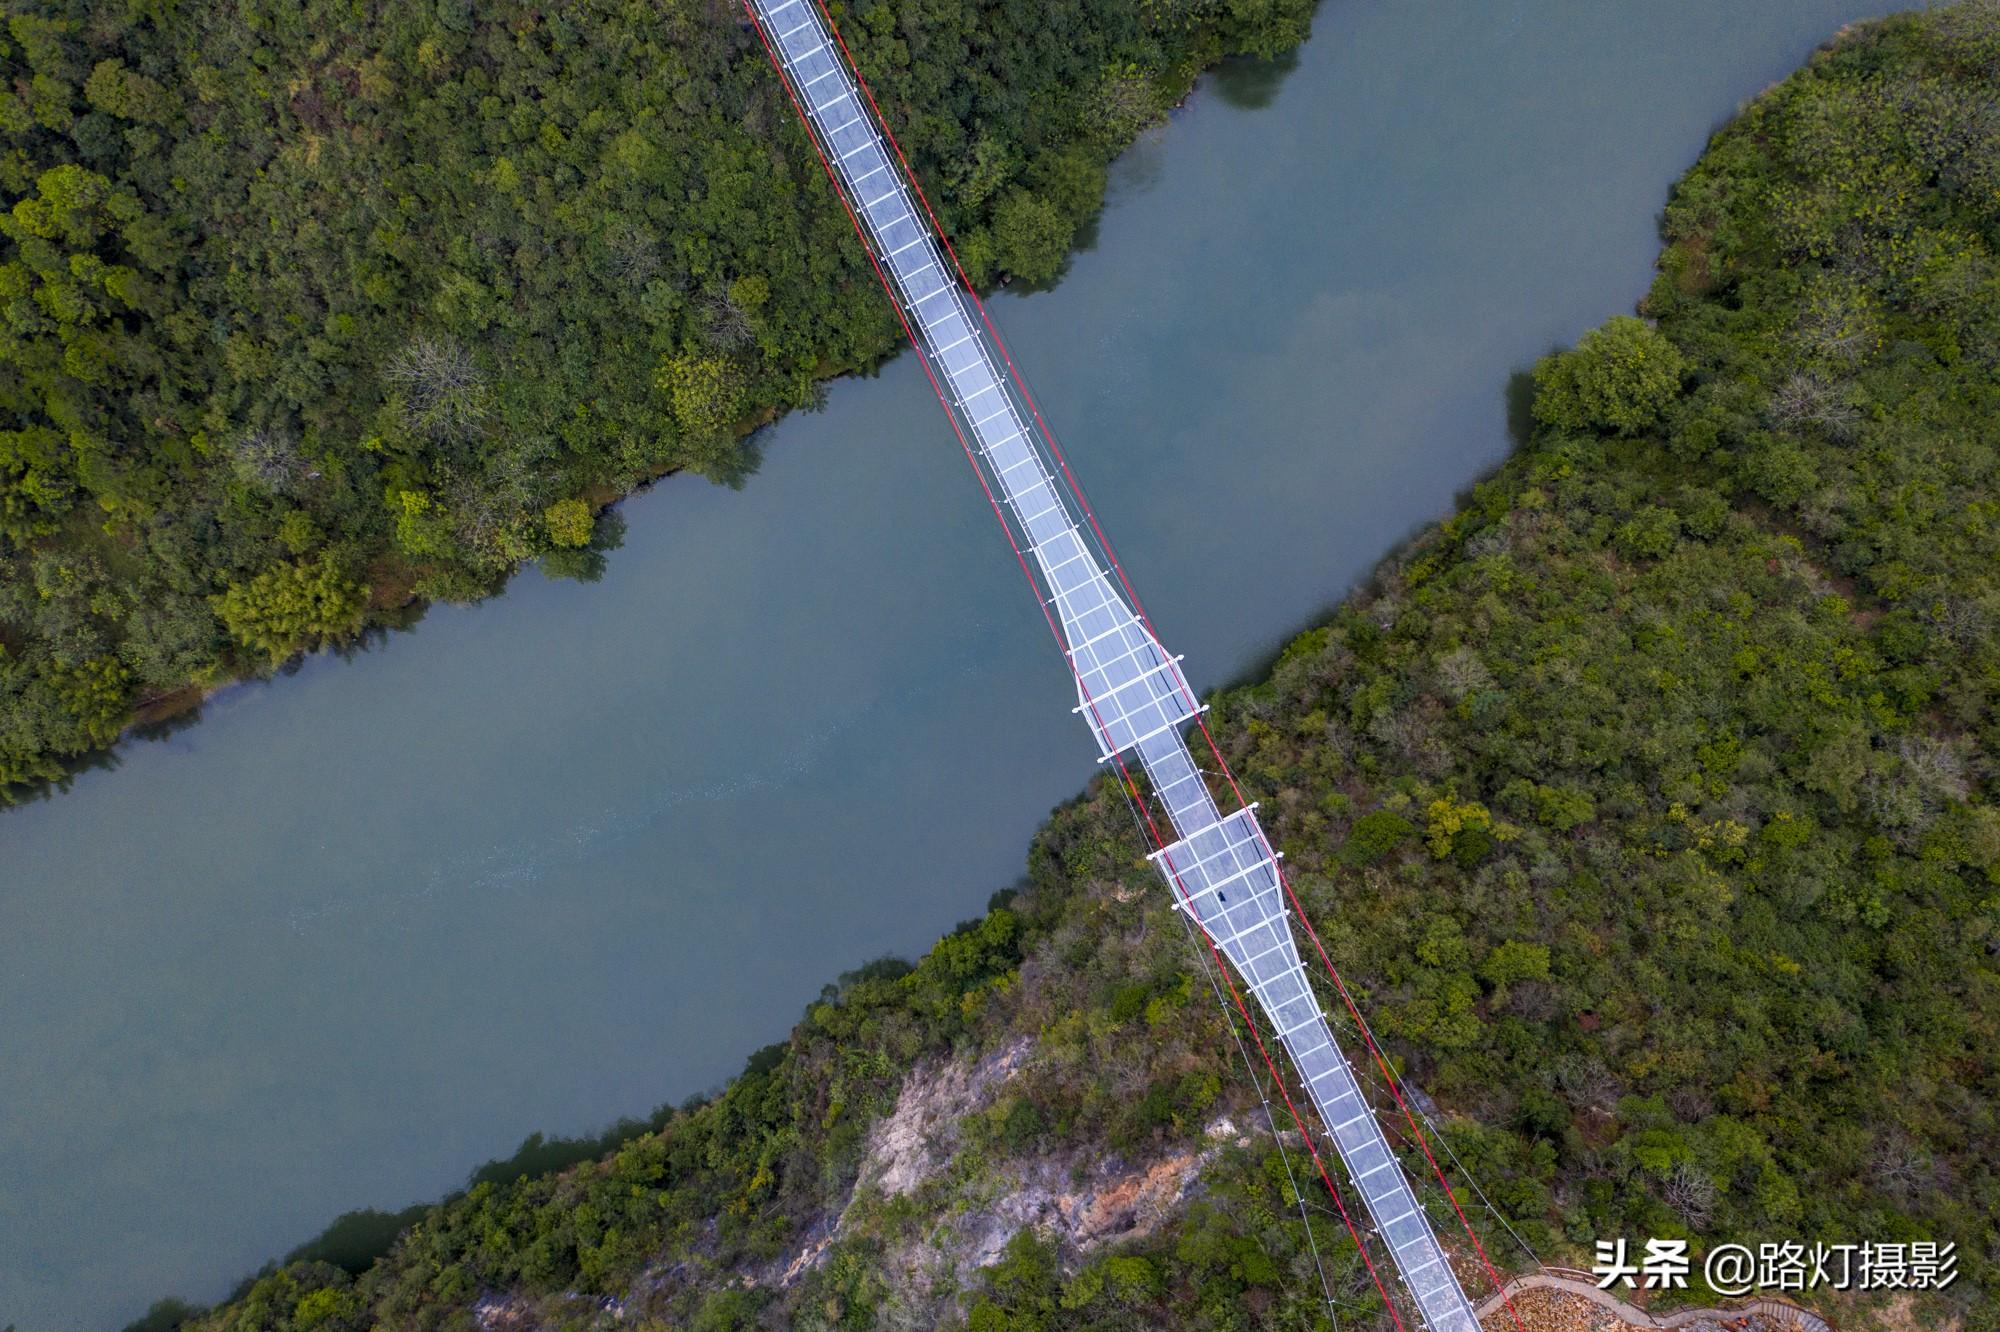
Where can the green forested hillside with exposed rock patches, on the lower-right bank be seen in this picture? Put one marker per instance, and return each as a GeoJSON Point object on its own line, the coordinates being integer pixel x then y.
{"type": "Point", "coordinates": [1647, 805]}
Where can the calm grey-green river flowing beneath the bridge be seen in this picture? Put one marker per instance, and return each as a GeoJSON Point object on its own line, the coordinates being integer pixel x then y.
{"type": "Point", "coordinates": [579, 851]}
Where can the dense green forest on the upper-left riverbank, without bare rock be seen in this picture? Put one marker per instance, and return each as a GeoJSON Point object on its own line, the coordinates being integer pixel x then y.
{"type": "Point", "coordinates": [317, 311]}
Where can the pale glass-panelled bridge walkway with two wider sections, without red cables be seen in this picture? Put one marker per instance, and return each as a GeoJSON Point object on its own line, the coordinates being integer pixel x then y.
{"type": "Point", "coordinates": [1131, 691]}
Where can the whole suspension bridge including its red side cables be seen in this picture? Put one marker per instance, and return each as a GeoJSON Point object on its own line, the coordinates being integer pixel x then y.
{"type": "Point", "coordinates": [1221, 869]}
